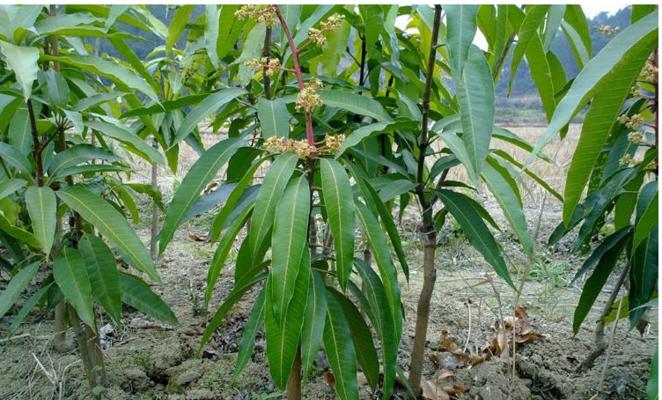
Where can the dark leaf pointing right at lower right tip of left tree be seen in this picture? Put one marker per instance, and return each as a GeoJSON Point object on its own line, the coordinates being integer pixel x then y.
{"type": "Point", "coordinates": [136, 293]}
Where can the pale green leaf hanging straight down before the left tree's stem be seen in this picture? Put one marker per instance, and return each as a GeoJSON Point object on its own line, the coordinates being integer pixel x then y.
{"type": "Point", "coordinates": [41, 205]}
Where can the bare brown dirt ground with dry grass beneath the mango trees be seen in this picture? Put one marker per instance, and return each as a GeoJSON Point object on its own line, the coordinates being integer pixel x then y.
{"type": "Point", "coordinates": [148, 360]}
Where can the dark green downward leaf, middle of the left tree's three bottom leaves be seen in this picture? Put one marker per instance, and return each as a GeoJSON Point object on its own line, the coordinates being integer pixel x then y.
{"type": "Point", "coordinates": [102, 270]}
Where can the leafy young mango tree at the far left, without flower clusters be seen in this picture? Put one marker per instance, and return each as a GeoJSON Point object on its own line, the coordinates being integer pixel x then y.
{"type": "Point", "coordinates": [58, 101]}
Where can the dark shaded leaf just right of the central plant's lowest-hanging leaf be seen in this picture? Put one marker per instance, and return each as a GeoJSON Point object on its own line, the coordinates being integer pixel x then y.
{"type": "Point", "coordinates": [362, 339]}
